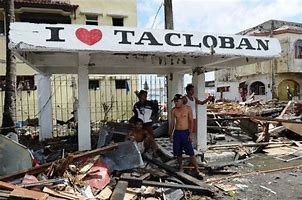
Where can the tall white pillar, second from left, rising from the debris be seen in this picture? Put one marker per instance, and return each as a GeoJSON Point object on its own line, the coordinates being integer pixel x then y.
{"type": "Point", "coordinates": [84, 135]}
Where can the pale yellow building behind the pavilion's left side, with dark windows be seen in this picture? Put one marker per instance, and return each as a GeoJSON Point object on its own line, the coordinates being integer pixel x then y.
{"type": "Point", "coordinates": [111, 96]}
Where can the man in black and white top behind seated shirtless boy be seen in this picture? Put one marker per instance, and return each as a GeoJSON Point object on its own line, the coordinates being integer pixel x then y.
{"type": "Point", "coordinates": [145, 110]}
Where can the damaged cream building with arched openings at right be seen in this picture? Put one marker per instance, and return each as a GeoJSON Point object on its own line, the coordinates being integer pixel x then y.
{"type": "Point", "coordinates": [280, 78]}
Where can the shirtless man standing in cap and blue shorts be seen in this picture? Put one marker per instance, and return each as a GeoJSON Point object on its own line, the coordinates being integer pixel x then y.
{"type": "Point", "coordinates": [181, 127]}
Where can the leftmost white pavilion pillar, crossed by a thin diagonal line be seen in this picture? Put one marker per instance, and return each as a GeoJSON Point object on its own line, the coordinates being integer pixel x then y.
{"type": "Point", "coordinates": [45, 106]}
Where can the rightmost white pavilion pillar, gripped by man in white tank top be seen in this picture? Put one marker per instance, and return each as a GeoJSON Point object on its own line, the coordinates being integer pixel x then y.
{"type": "Point", "coordinates": [199, 84]}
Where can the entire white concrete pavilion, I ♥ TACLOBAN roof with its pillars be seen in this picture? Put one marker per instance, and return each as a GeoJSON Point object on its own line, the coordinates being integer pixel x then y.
{"type": "Point", "coordinates": [83, 50]}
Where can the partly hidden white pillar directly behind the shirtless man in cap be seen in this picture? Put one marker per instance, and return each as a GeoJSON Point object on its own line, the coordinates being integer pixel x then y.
{"type": "Point", "coordinates": [175, 86]}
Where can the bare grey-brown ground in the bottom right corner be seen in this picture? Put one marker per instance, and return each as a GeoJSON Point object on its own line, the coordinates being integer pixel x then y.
{"type": "Point", "coordinates": [285, 184]}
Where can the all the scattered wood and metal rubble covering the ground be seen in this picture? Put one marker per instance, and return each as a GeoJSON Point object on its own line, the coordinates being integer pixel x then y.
{"type": "Point", "coordinates": [243, 138]}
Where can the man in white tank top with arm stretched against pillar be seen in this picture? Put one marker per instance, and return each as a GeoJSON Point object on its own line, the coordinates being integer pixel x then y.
{"type": "Point", "coordinates": [192, 101]}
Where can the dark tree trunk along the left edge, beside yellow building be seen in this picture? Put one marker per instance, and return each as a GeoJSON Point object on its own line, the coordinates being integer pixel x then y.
{"type": "Point", "coordinates": [8, 120]}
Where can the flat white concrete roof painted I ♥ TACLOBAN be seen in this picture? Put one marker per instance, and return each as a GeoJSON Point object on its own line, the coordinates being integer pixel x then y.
{"type": "Point", "coordinates": [63, 48]}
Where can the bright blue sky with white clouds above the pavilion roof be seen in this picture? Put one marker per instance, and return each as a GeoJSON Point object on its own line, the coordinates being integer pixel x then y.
{"type": "Point", "coordinates": [218, 16]}
